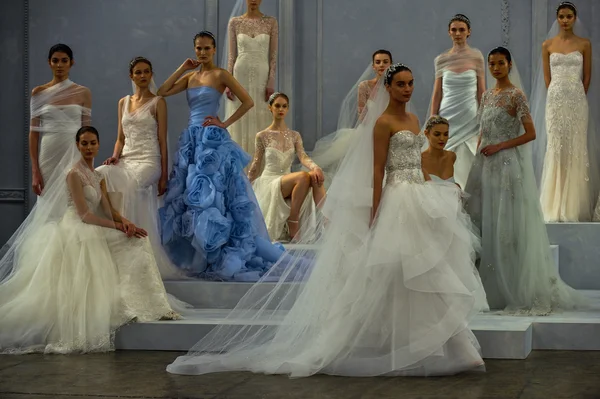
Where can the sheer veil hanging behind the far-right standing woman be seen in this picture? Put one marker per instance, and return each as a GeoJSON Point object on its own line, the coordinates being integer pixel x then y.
{"type": "Point", "coordinates": [538, 112]}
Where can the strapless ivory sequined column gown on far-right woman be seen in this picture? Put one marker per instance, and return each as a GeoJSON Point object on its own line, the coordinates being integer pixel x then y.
{"type": "Point", "coordinates": [565, 189]}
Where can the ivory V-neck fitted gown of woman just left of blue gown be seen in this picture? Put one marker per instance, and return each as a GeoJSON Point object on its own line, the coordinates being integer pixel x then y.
{"type": "Point", "coordinates": [132, 182]}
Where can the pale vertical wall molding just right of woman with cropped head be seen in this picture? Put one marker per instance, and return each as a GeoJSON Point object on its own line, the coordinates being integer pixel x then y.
{"type": "Point", "coordinates": [285, 52]}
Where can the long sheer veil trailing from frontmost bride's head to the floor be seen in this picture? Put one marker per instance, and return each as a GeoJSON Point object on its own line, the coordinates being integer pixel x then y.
{"type": "Point", "coordinates": [265, 319]}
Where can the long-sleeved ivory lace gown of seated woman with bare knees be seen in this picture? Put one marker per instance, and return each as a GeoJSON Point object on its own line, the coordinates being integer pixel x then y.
{"type": "Point", "coordinates": [273, 158]}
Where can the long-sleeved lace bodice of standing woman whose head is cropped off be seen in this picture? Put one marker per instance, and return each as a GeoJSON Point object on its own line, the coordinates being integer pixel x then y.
{"type": "Point", "coordinates": [256, 39]}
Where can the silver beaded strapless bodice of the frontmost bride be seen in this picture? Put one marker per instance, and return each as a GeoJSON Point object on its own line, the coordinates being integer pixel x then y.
{"type": "Point", "coordinates": [404, 158]}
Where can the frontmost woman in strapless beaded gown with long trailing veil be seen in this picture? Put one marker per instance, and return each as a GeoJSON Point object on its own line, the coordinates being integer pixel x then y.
{"type": "Point", "coordinates": [390, 291]}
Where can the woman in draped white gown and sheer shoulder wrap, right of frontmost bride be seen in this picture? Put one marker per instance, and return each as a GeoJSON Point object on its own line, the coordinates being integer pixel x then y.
{"type": "Point", "coordinates": [459, 84]}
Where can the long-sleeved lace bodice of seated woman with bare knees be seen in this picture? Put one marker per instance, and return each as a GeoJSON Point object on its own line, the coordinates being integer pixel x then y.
{"type": "Point", "coordinates": [276, 149]}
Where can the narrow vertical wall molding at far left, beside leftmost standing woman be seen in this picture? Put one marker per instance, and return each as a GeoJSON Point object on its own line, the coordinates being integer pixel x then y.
{"type": "Point", "coordinates": [25, 193]}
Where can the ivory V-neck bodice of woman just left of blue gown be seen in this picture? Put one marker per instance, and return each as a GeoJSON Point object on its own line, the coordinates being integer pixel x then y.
{"type": "Point", "coordinates": [140, 130]}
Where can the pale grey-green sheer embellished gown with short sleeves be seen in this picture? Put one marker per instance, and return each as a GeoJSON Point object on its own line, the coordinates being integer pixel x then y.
{"type": "Point", "coordinates": [516, 266]}
